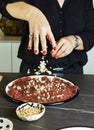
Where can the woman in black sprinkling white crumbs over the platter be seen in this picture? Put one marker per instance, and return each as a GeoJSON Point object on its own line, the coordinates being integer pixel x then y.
{"type": "Point", "coordinates": [61, 30]}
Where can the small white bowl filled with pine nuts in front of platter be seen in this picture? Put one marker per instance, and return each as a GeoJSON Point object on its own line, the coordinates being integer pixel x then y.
{"type": "Point", "coordinates": [30, 111]}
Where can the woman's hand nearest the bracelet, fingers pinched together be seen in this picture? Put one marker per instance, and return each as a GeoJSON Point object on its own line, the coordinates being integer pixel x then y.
{"type": "Point", "coordinates": [64, 47]}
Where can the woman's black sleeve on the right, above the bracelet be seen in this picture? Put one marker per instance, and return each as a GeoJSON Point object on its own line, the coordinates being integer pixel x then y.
{"type": "Point", "coordinates": [88, 35]}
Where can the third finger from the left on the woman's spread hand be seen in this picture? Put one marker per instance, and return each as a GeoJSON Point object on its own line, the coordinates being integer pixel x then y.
{"type": "Point", "coordinates": [43, 44]}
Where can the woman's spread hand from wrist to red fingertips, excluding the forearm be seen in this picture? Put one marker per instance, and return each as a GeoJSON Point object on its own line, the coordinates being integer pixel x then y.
{"type": "Point", "coordinates": [39, 30]}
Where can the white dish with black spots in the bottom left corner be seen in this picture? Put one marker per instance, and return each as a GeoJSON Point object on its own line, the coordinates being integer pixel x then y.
{"type": "Point", "coordinates": [5, 124]}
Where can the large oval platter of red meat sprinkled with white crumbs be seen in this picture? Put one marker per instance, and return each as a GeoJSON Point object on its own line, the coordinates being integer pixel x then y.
{"type": "Point", "coordinates": [42, 89]}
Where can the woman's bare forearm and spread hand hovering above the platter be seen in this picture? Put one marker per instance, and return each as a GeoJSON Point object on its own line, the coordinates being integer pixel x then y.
{"type": "Point", "coordinates": [39, 27]}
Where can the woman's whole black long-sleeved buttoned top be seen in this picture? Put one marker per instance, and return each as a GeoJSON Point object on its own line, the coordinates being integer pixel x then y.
{"type": "Point", "coordinates": [76, 17]}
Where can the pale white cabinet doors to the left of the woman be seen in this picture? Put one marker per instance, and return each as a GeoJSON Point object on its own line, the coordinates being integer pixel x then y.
{"type": "Point", "coordinates": [8, 57]}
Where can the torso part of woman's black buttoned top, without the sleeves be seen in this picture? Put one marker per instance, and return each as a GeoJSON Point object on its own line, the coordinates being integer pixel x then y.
{"type": "Point", "coordinates": [68, 20]}
